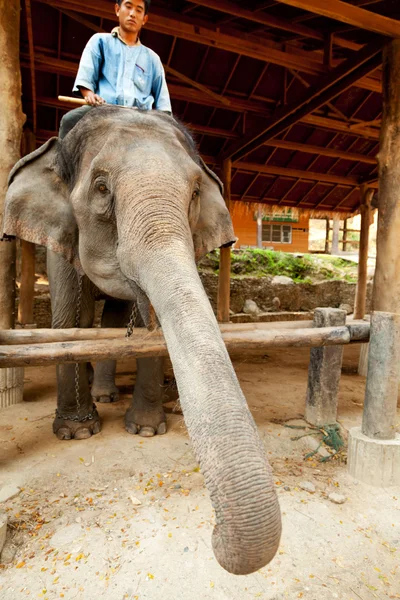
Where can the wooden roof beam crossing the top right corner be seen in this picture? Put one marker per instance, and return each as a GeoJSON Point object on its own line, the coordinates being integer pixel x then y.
{"type": "Point", "coordinates": [352, 15]}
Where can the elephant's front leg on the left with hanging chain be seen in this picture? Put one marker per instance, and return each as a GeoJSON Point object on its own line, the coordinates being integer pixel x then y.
{"type": "Point", "coordinates": [76, 417]}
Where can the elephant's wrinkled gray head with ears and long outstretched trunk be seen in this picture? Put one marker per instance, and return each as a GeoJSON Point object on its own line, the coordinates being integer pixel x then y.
{"type": "Point", "coordinates": [125, 199]}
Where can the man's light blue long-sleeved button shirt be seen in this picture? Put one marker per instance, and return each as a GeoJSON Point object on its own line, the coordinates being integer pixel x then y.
{"type": "Point", "coordinates": [122, 74]}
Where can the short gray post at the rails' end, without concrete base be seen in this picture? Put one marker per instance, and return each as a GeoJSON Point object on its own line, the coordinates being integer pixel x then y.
{"type": "Point", "coordinates": [324, 372]}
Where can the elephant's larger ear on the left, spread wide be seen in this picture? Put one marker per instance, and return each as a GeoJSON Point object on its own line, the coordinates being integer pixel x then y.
{"type": "Point", "coordinates": [37, 207]}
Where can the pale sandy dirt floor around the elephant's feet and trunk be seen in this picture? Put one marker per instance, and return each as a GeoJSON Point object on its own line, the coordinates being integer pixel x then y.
{"type": "Point", "coordinates": [77, 530]}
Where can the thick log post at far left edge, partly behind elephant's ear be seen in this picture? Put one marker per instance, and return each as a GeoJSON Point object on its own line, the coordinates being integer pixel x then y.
{"type": "Point", "coordinates": [11, 121]}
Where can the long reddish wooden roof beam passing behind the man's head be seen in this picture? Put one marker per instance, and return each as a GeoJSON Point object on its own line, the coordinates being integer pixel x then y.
{"type": "Point", "coordinates": [190, 29]}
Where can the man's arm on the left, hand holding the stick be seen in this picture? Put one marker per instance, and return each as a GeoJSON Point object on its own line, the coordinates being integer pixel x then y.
{"type": "Point", "coordinates": [87, 78]}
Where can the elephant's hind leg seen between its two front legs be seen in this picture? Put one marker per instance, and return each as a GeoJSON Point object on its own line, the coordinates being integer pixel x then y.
{"type": "Point", "coordinates": [115, 314]}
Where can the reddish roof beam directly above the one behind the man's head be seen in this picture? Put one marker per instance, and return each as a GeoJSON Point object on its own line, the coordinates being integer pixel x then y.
{"type": "Point", "coordinates": [271, 21]}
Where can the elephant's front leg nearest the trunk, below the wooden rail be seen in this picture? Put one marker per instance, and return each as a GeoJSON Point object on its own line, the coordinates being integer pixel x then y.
{"type": "Point", "coordinates": [146, 414]}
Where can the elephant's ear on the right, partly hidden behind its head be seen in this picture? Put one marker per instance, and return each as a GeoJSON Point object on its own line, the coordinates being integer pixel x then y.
{"type": "Point", "coordinates": [214, 227]}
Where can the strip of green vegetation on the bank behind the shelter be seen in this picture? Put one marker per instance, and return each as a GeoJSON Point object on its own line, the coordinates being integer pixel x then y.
{"type": "Point", "coordinates": [307, 268]}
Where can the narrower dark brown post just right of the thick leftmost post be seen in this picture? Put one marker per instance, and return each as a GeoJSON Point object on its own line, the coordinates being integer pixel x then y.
{"type": "Point", "coordinates": [27, 289]}
